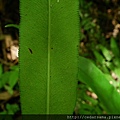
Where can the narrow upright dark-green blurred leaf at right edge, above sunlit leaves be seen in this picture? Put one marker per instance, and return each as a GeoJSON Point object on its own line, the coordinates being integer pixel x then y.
{"type": "Point", "coordinates": [114, 47]}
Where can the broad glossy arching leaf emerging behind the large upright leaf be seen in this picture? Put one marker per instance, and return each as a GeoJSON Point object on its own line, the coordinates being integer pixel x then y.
{"type": "Point", "coordinates": [93, 77]}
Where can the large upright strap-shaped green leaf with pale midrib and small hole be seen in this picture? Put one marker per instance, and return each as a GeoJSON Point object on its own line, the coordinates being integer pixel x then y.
{"type": "Point", "coordinates": [49, 35]}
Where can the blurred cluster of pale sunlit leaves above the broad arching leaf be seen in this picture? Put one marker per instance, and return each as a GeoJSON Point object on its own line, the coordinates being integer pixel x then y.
{"type": "Point", "coordinates": [111, 62]}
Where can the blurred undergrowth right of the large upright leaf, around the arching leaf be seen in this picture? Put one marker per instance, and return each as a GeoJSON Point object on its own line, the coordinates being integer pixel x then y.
{"type": "Point", "coordinates": [100, 42]}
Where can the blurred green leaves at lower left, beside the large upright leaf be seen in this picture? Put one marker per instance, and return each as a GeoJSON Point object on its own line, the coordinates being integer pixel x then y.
{"type": "Point", "coordinates": [8, 82]}
